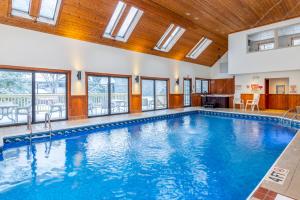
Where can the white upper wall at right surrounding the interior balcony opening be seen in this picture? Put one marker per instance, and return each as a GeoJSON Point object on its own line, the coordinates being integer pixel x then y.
{"type": "Point", "coordinates": [240, 61]}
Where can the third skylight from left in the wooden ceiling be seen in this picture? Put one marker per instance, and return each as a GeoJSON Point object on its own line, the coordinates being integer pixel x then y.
{"type": "Point", "coordinates": [170, 37]}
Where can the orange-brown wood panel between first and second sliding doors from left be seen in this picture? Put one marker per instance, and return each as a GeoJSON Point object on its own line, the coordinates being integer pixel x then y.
{"type": "Point", "coordinates": [78, 107]}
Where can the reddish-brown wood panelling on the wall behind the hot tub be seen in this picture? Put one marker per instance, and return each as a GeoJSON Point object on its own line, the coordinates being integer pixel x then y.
{"type": "Point", "coordinates": [222, 86]}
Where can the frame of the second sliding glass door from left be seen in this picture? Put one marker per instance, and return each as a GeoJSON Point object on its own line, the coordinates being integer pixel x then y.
{"type": "Point", "coordinates": [96, 74]}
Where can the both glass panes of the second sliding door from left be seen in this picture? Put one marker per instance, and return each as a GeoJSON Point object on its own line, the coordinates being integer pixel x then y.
{"type": "Point", "coordinates": [107, 95]}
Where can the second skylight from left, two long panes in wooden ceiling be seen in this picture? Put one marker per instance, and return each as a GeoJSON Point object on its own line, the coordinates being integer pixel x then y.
{"type": "Point", "coordinates": [128, 24]}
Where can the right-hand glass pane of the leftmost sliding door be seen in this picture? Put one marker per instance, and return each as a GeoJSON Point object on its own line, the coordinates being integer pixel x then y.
{"type": "Point", "coordinates": [50, 96]}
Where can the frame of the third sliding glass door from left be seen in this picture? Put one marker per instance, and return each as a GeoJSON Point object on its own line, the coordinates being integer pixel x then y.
{"type": "Point", "coordinates": [154, 79]}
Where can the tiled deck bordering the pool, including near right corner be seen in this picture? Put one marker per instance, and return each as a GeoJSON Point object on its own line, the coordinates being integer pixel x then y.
{"type": "Point", "coordinates": [289, 159]}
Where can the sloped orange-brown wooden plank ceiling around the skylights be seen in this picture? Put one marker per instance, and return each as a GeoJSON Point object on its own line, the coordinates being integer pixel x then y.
{"type": "Point", "coordinates": [86, 20]}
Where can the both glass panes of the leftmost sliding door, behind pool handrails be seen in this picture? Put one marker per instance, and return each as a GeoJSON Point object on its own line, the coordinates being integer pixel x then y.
{"type": "Point", "coordinates": [35, 93]}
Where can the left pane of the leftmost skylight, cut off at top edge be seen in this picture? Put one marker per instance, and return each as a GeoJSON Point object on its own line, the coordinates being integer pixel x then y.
{"type": "Point", "coordinates": [21, 8]}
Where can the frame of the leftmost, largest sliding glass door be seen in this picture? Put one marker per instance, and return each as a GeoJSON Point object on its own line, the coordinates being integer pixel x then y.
{"type": "Point", "coordinates": [33, 71]}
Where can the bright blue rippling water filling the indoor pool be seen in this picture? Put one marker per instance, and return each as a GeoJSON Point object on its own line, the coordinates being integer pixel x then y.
{"type": "Point", "coordinates": [189, 157]}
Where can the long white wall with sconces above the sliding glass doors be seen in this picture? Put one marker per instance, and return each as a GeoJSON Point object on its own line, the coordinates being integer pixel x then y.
{"type": "Point", "coordinates": [21, 47]}
